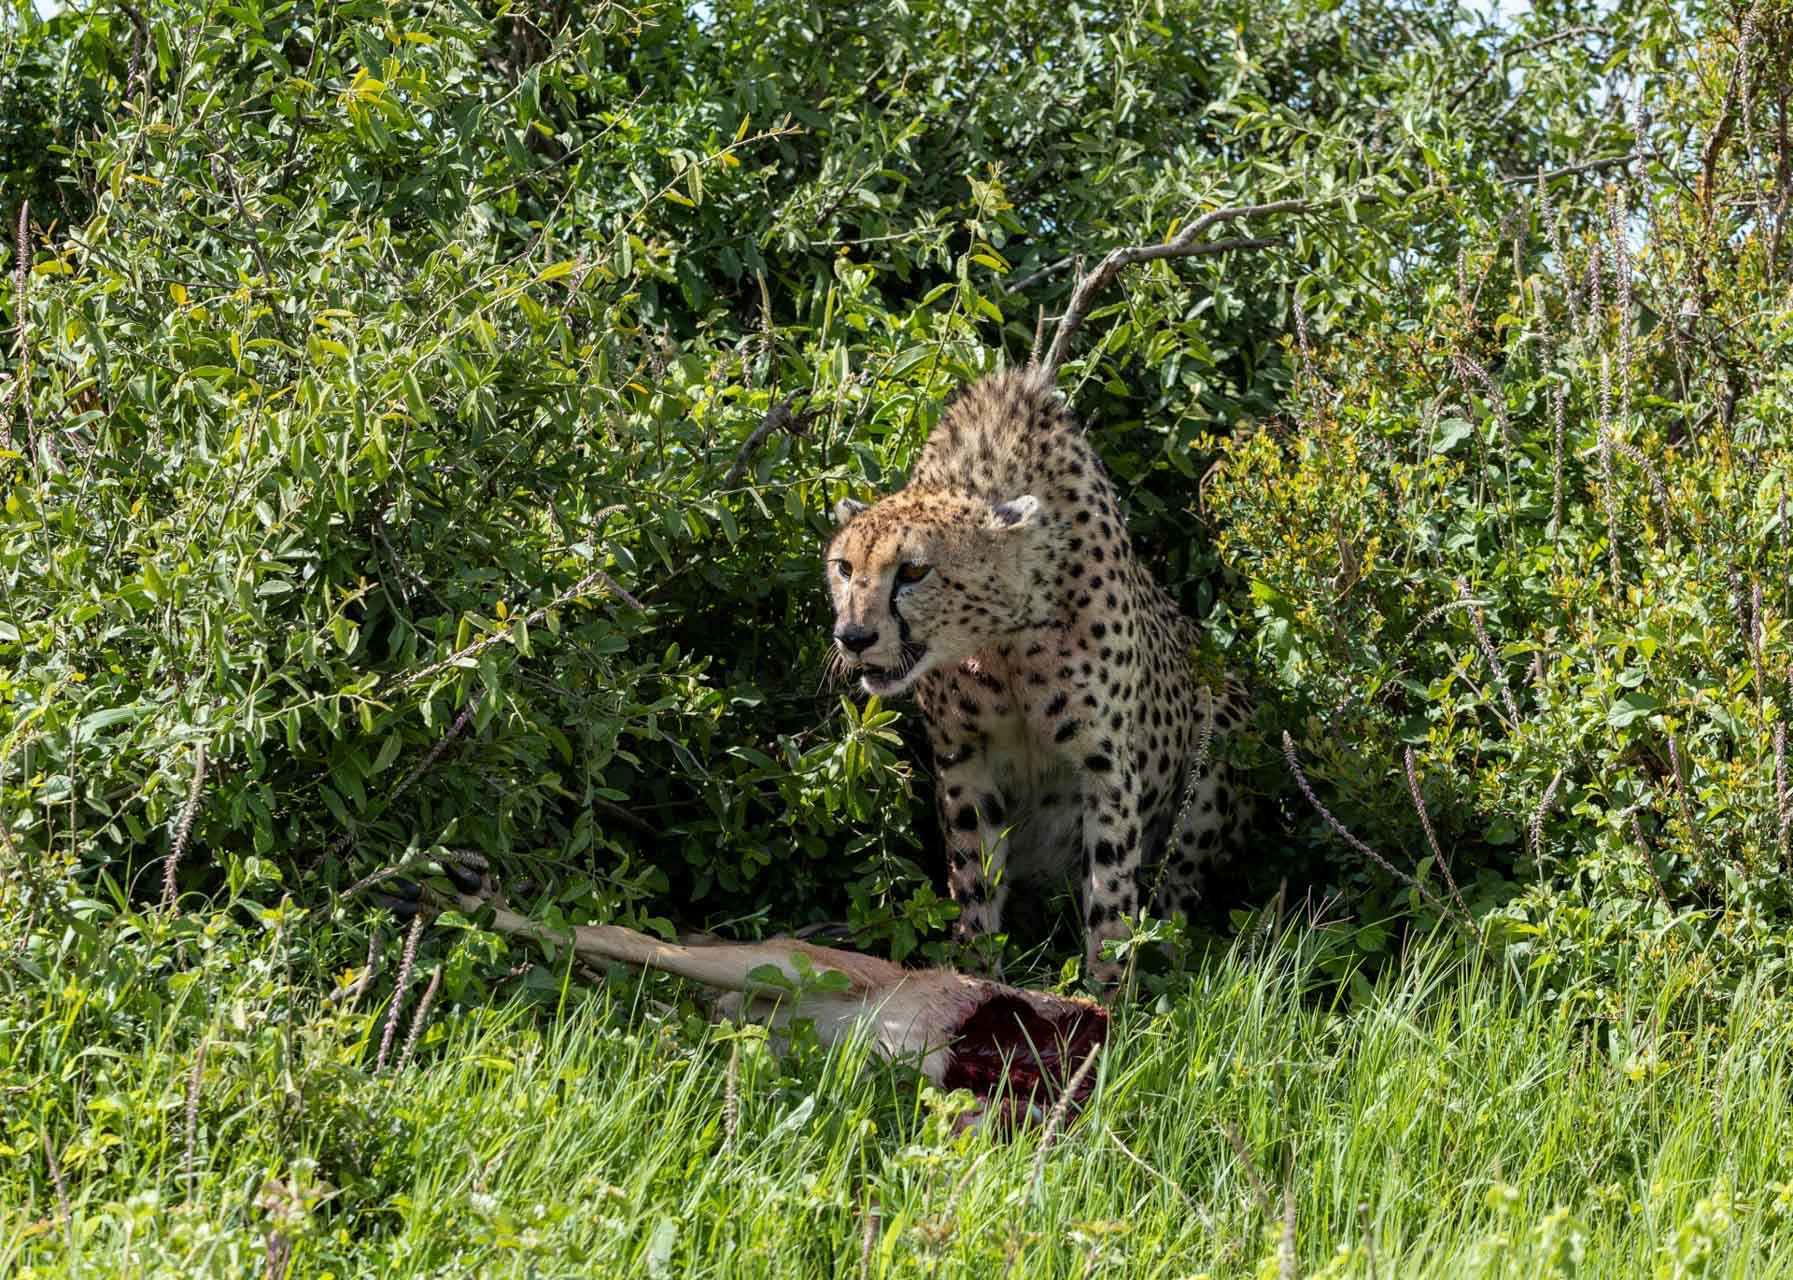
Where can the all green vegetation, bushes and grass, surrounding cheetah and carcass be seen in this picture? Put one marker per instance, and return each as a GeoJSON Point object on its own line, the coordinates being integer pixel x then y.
{"type": "Point", "coordinates": [419, 429]}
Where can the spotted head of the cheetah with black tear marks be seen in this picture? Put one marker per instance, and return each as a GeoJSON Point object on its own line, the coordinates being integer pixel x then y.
{"type": "Point", "coordinates": [926, 580]}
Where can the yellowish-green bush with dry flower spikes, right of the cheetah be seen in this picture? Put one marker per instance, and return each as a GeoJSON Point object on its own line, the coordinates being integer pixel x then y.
{"type": "Point", "coordinates": [1534, 530]}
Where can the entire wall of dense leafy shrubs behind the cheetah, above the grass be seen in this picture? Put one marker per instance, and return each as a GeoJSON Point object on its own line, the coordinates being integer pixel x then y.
{"type": "Point", "coordinates": [422, 424]}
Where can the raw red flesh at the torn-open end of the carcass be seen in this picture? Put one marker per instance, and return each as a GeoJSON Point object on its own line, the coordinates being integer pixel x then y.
{"type": "Point", "coordinates": [1007, 1050]}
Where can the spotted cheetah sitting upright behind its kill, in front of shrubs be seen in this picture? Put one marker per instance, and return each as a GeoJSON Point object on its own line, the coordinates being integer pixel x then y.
{"type": "Point", "coordinates": [1053, 673]}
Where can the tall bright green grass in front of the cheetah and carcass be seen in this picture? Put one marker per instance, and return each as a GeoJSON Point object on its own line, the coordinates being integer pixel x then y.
{"type": "Point", "coordinates": [1446, 1121]}
